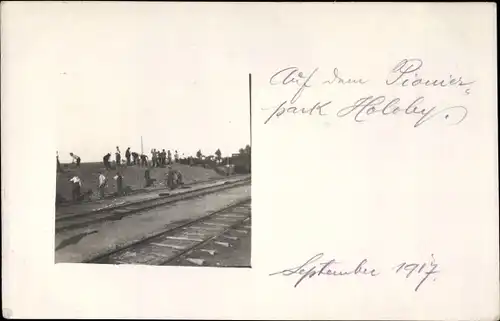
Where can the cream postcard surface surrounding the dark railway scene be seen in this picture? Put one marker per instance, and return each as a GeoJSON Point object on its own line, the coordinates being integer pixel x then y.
{"type": "Point", "coordinates": [374, 137]}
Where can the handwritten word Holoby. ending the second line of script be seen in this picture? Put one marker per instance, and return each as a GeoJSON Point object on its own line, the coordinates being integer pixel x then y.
{"type": "Point", "coordinates": [376, 105]}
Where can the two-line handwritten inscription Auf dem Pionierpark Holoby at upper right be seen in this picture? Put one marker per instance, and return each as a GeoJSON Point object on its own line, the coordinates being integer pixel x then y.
{"type": "Point", "coordinates": [404, 74]}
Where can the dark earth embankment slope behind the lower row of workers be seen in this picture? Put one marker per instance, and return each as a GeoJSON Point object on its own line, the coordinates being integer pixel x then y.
{"type": "Point", "coordinates": [133, 176]}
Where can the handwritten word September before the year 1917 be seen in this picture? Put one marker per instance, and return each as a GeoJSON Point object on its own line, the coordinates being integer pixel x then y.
{"type": "Point", "coordinates": [328, 268]}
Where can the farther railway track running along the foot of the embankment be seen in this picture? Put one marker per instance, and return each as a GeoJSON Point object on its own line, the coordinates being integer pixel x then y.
{"type": "Point", "coordinates": [75, 221]}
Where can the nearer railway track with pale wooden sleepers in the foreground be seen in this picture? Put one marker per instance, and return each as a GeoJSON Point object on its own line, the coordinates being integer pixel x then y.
{"type": "Point", "coordinates": [179, 244]}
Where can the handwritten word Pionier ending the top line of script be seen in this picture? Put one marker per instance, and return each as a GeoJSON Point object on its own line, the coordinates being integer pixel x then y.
{"type": "Point", "coordinates": [405, 74]}
